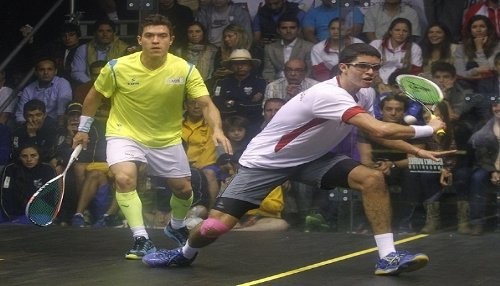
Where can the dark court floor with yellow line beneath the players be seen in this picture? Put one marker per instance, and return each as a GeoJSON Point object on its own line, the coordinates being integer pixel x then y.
{"type": "Point", "coordinates": [55, 255]}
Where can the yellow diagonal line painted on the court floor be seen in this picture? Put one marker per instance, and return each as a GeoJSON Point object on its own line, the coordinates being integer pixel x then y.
{"type": "Point", "coordinates": [326, 262]}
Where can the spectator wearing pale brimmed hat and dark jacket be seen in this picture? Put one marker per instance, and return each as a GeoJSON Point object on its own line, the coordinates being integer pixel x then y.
{"type": "Point", "coordinates": [241, 93]}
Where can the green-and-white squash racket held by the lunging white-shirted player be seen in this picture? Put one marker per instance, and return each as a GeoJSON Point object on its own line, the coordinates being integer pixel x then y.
{"type": "Point", "coordinates": [423, 91]}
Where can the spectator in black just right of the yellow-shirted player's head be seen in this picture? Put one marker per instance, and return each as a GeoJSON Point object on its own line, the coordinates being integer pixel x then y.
{"type": "Point", "coordinates": [180, 16]}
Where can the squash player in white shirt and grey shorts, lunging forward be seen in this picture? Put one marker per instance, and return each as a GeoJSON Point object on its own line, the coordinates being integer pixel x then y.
{"type": "Point", "coordinates": [296, 145]}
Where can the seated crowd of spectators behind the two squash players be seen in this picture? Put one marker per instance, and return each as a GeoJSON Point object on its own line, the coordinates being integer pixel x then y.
{"type": "Point", "coordinates": [253, 60]}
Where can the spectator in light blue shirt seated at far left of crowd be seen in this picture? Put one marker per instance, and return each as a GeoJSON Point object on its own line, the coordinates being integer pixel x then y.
{"type": "Point", "coordinates": [53, 90]}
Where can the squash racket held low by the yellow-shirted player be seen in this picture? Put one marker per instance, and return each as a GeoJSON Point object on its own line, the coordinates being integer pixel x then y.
{"type": "Point", "coordinates": [44, 205]}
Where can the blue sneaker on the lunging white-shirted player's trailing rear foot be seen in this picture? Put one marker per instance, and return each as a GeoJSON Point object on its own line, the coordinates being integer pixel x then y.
{"type": "Point", "coordinates": [167, 258]}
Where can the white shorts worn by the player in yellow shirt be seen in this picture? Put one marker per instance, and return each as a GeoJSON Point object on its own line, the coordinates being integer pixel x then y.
{"type": "Point", "coordinates": [167, 162]}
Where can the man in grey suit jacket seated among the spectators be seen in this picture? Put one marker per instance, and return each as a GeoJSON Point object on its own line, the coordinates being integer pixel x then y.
{"type": "Point", "coordinates": [290, 46]}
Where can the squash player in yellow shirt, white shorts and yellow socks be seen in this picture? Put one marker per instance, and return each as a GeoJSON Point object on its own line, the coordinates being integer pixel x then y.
{"type": "Point", "coordinates": [147, 90]}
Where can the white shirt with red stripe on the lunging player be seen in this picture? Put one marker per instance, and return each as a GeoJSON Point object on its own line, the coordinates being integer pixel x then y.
{"type": "Point", "coordinates": [308, 126]}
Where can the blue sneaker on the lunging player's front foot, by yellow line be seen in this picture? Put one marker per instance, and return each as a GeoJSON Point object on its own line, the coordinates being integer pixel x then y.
{"type": "Point", "coordinates": [400, 261]}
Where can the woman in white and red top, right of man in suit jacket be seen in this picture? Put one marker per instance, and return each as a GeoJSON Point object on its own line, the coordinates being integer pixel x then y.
{"type": "Point", "coordinates": [325, 54]}
